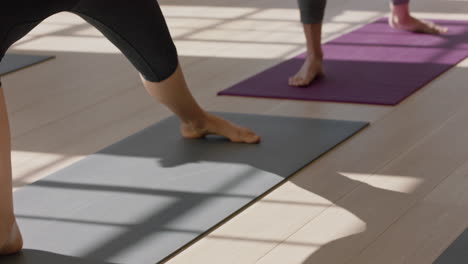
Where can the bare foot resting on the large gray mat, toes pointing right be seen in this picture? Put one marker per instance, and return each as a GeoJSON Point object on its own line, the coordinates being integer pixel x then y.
{"type": "Point", "coordinates": [218, 126]}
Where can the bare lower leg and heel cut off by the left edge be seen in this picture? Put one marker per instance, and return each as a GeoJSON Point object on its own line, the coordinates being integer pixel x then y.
{"type": "Point", "coordinates": [10, 236]}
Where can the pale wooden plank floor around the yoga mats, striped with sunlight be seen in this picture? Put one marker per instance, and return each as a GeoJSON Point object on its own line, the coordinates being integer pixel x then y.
{"type": "Point", "coordinates": [394, 193]}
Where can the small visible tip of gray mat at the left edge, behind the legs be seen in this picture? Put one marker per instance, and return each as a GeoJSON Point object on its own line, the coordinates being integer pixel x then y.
{"type": "Point", "coordinates": [14, 62]}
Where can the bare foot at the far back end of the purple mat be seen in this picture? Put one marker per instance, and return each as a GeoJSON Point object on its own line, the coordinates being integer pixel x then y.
{"type": "Point", "coordinates": [401, 19]}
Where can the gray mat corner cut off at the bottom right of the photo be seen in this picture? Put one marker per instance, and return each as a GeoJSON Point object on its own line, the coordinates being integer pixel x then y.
{"type": "Point", "coordinates": [456, 253]}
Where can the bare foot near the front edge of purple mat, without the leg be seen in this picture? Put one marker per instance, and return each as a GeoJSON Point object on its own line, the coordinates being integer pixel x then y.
{"type": "Point", "coordinates": [310, 70]}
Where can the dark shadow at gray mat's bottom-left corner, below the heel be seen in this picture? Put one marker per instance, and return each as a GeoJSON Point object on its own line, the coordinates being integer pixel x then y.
{"type": "Point", "coordinates": [30, 256]}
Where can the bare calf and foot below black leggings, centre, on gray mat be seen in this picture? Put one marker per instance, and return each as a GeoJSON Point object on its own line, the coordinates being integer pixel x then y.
{"type": "Point", "coordinates": [195, 122]}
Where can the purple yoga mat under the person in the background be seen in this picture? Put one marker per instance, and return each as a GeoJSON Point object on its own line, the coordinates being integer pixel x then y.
{"type": "Point", "coordinates": [372, 65]}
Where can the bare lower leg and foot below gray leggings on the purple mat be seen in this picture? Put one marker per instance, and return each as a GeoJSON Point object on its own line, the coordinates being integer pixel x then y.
{"type": "Point", "coordinates": [312, 67]}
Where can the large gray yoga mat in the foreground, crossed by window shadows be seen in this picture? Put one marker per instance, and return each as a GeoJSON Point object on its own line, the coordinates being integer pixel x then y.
{"type": "Point", "coordinates": [143, 198]}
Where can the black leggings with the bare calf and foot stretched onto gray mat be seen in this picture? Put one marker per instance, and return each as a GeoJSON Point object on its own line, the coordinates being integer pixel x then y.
{"type": "Point", "coordinates": [139, 30]}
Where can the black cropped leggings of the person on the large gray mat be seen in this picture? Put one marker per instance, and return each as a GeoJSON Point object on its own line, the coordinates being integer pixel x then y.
{"type": "Point", "coordinates": [136, 27]}
